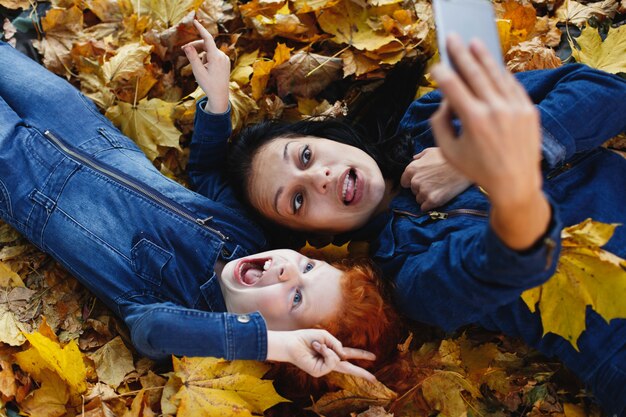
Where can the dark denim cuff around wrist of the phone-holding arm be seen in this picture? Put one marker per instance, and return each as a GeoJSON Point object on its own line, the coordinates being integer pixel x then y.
{"type": "Point", "coordinates": [534, 265]}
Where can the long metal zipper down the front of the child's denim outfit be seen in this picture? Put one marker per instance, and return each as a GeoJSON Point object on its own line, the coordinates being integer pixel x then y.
{"type": "Point", "coordinates": [131, 184]}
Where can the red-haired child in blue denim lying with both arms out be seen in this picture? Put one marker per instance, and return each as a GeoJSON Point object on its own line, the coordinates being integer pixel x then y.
{"type": "Point", "coordinates": [173, 264]}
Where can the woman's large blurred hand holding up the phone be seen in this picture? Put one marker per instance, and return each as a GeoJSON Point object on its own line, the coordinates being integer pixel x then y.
{"type": "Point", "coordinates": [499, 146]}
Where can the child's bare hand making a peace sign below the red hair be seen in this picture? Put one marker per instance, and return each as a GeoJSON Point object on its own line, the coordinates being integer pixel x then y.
{"type": "Point", "coordinates": [316, 352]}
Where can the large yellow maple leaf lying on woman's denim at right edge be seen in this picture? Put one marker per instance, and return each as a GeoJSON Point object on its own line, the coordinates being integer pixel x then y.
{"type": "Point", "coordinates": [585, 276]}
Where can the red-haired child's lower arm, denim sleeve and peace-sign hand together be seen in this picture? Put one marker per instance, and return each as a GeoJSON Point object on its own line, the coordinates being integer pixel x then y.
{"type": "Point", "coordinates": [161, 330]}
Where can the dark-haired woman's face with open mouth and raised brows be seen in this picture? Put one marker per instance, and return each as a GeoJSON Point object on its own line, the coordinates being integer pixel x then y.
{"type": "Point", "coordinates": [314, 184]}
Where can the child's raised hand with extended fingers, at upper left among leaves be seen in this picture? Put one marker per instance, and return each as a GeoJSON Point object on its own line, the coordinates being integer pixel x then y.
{"type": "Point", "coordinates": [211, 69]}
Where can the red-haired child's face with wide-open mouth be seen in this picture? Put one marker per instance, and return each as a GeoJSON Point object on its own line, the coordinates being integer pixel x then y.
{"type": "Point", "coordinates": [290, 290]}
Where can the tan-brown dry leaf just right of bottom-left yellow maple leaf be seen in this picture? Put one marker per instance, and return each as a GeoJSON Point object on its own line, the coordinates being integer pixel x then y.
{"type": "Point", "coordinates": [113, 361]}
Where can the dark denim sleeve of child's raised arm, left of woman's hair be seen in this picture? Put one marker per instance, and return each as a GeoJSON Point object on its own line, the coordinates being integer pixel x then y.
{"type": "Point", "coordinates": [207, 154]}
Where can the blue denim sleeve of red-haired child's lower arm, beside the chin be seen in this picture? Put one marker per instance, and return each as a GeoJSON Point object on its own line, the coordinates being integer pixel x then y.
{"type": "Point", "coordinates": [161, 330]}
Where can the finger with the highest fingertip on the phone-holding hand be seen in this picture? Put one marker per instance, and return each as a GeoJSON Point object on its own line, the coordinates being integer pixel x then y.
{"type": "Point", "coordinates": [469, 68]}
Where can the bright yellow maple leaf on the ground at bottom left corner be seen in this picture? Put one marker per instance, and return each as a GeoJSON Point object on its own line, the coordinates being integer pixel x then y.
{"type": "Point", "coordinates": [45, 354]}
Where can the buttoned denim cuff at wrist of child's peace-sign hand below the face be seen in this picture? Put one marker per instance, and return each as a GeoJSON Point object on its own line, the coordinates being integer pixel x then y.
{"type": "Point", "coordinates": [246, 334]}
